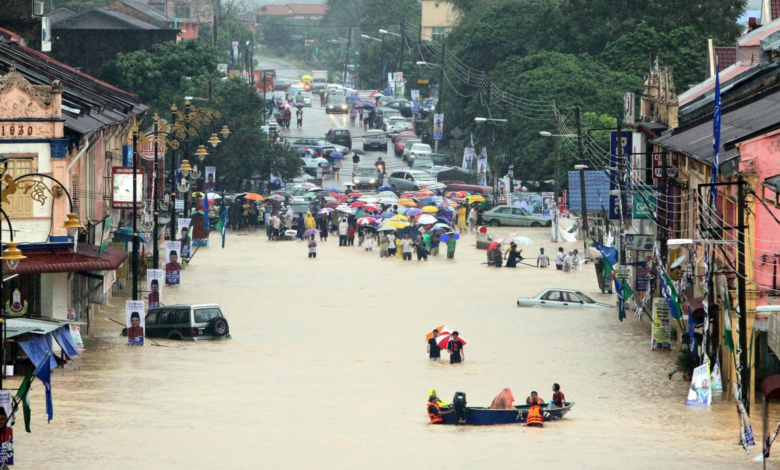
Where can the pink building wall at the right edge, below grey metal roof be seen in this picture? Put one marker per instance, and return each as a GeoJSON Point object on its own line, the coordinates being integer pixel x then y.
{"type": "Point", "coordinates": [761, 157]}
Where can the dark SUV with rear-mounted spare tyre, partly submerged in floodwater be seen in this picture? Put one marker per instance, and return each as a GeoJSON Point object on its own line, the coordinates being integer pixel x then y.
{"type": "Point", "coordinates": [192, 322]}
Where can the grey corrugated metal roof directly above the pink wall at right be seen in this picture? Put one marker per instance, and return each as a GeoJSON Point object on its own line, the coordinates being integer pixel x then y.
{"type": "Point", "coordinates": [735, 125]}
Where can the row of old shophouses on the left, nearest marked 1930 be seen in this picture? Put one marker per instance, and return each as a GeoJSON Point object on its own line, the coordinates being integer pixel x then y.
{"type": "Point", "coordinates": [67, 130]}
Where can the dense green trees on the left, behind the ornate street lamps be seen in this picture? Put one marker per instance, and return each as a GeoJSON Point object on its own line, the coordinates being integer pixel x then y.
{"type": "Point", "coordinates": [175, 70]}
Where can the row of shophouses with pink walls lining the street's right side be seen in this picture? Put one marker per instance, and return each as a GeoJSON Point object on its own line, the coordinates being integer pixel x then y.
{"type": "Point", "coordinates": [681, 127]}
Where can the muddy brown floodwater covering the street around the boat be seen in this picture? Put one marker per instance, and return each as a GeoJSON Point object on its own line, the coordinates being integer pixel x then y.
{"type": "Point", "coordinates": [327, 368]}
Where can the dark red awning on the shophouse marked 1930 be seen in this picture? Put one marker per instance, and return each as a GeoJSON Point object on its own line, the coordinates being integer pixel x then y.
{"type": "Point", "coordinates": [87, 259]}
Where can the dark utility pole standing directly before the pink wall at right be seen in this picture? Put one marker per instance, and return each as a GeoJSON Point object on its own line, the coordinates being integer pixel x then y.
{"type": "Point", "coordinates": [742, 293]}
